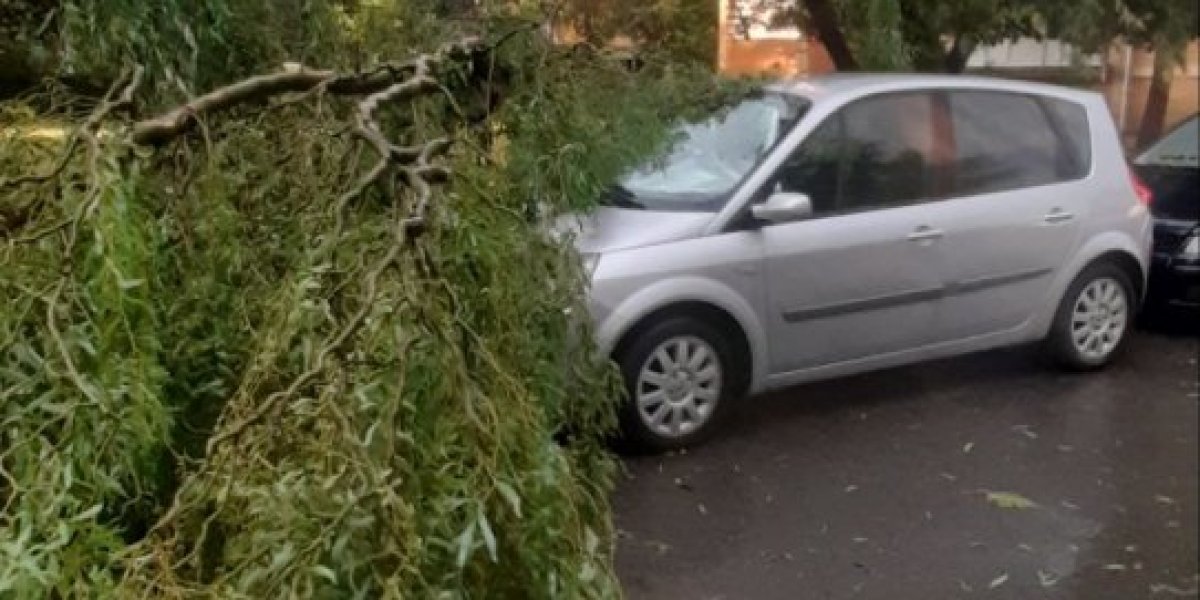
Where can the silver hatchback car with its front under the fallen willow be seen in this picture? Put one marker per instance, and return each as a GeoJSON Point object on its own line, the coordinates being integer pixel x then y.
{"type": "Point", "coordinates": [849, 224]}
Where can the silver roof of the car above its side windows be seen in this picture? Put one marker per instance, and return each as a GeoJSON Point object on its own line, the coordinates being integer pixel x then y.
{"type": "Point", "coordinates": [857, 85]}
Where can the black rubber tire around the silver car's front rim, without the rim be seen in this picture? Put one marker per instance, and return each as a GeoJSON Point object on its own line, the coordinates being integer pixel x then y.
{"type": "Point", "coordinates": [638, 435]}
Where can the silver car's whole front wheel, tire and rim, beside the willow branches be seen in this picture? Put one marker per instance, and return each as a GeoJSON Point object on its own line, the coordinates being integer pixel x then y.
{"type": "Point", "coordinates": [677, 385]}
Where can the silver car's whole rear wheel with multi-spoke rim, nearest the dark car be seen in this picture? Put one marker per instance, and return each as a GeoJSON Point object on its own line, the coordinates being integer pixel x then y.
{"type": "Point", "coordinates": [1094, 319]}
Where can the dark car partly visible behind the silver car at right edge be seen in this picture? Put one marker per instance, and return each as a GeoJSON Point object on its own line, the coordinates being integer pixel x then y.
{"type": "Point", "coordinates": [1171, 170]}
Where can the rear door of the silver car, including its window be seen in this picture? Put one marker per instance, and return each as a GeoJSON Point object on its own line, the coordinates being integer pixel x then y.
{"type": "Point", "coordinates": [1015, 208]}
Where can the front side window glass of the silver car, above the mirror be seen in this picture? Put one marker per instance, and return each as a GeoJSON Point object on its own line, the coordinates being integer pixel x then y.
{"type": "Point", "coordinates": [875, 153]}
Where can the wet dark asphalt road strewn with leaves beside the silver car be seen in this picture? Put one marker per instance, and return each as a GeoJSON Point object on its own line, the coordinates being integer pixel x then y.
{"type": "Point", "coordinates": [982, 477]}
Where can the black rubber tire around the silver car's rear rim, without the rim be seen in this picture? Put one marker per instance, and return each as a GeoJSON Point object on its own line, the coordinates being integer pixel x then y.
{"type": "Point", "coordinates": [1060, 346]}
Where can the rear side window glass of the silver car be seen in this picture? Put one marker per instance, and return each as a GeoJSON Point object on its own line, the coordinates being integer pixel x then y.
{"type": "Point", "coordinates": [1013, 141]}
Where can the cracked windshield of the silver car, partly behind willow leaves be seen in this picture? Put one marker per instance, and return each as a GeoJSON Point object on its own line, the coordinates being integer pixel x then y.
{"type": "Point", "coordinates": [710, 159]}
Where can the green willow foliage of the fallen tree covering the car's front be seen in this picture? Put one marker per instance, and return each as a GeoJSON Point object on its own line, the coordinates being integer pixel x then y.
{"type": "Point", "coordinates": [231, 370]}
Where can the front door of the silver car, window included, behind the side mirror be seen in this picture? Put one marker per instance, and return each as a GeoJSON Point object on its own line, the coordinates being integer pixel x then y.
{"type": "Point", "coordinates": [865, 274]}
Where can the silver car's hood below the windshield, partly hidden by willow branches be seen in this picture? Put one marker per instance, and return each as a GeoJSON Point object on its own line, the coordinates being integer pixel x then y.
{"type": "Point", "coordinates": [609, 229]}
